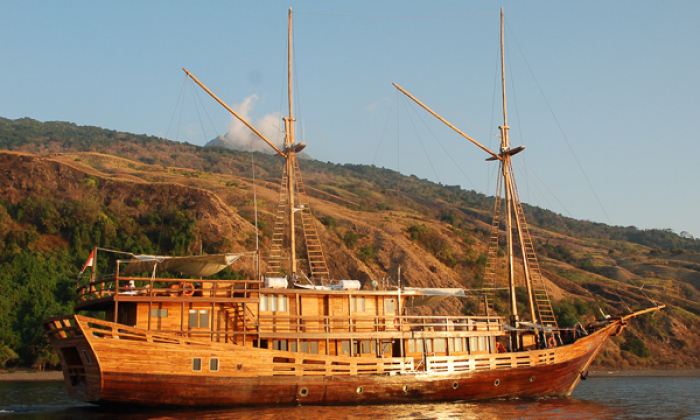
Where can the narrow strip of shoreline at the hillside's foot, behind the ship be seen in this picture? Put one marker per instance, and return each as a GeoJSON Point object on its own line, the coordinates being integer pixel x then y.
{"type": "Point", "coordinates": [57, 375]}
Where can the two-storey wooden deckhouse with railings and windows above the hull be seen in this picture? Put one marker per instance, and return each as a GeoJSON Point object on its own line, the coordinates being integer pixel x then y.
{"type": "Point", "coordinates": [325, 320]}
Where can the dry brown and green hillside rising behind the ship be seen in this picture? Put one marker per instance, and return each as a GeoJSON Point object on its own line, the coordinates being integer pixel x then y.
{"type": "Point", "coordinates": [64, 189]}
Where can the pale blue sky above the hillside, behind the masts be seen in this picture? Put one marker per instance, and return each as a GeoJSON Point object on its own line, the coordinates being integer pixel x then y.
{"type": "Point", "coordinates": [603, 94]}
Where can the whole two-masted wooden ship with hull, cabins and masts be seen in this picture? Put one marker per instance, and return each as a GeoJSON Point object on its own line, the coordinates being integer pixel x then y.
{"type": "Point", "coordinates": [201, 342]}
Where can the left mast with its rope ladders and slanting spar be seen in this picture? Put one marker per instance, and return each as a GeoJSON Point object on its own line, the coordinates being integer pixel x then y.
{"type": "Point", "coordinates": [292, 198]}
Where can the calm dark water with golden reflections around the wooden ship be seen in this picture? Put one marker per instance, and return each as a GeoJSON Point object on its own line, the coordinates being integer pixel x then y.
{"type": "Point", "coordinates": [596, 398]}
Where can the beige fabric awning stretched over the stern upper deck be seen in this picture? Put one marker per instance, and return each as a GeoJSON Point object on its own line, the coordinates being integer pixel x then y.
{"type": "Point", "coordinates": [195, 266]}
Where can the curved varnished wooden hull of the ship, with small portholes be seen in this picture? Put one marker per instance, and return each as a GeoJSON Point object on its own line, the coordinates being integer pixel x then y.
{"type": "Point", "coordinates": [141, 368]}
